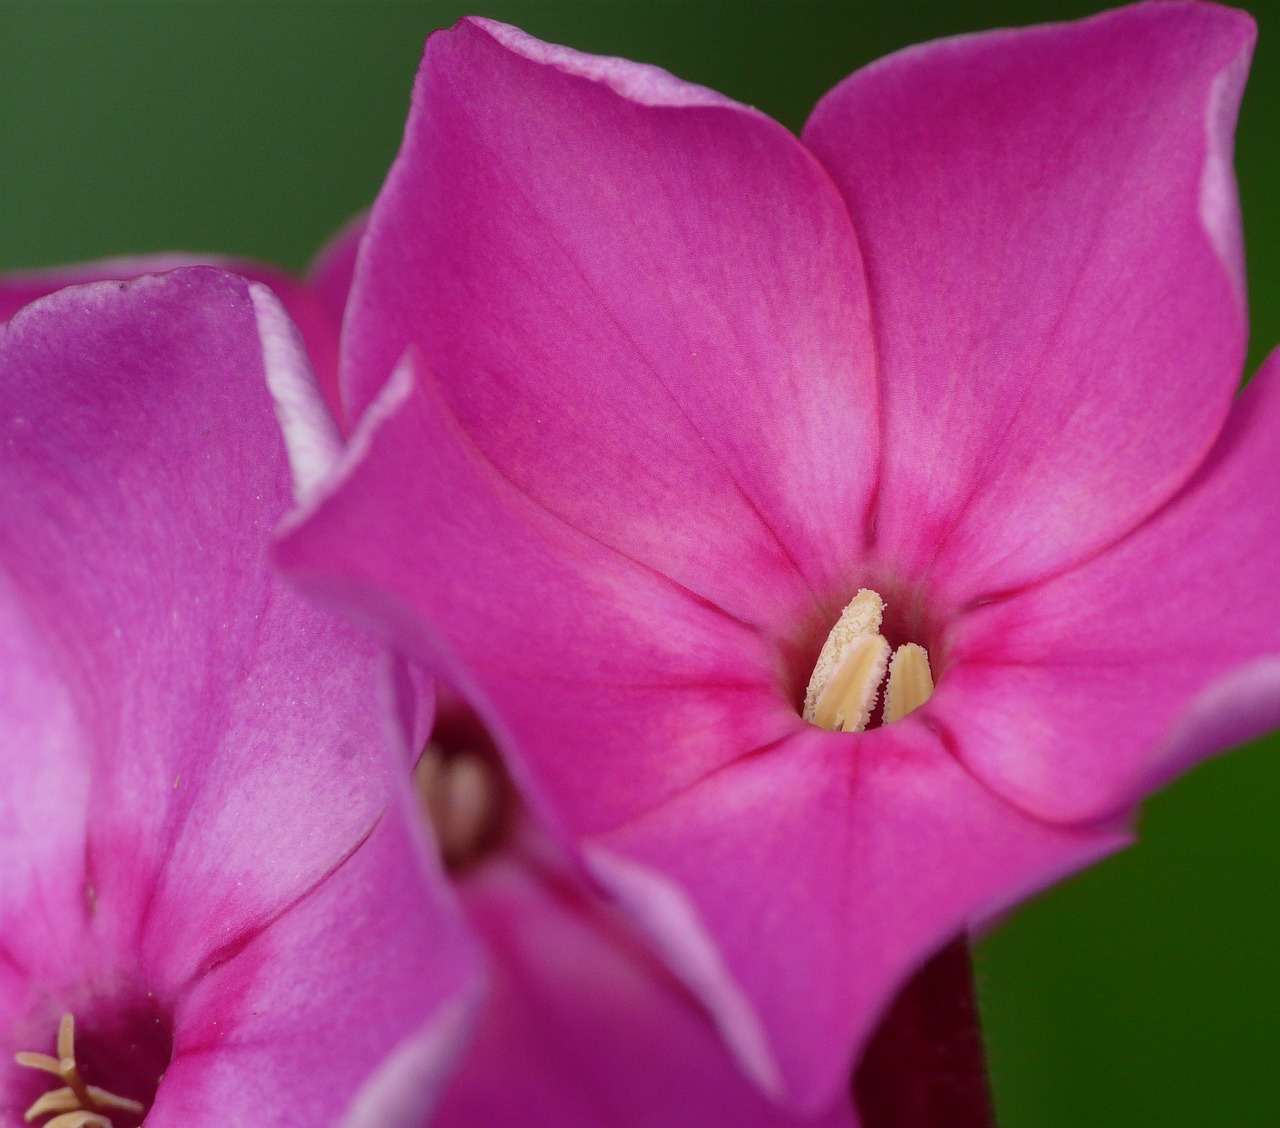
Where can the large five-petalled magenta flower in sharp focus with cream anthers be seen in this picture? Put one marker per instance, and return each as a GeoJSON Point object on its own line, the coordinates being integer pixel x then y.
{"type": "Point", "coordinates": [673, 387]}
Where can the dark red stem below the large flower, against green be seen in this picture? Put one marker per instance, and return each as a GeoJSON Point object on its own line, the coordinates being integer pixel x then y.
{"type": "Point", "coordinates": [926, 1067]}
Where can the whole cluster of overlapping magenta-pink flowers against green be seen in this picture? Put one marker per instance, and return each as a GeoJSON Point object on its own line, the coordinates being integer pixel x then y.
{"type": "Point", "coordinates": [657, 583]}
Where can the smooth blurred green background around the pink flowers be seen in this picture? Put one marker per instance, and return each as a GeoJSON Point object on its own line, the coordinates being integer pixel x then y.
{"type": "Point", "coordinates": [1146, 992]}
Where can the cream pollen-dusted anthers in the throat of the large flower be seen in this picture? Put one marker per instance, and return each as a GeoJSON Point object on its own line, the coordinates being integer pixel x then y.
{"type": "Point", "coordinates": [853, 663]}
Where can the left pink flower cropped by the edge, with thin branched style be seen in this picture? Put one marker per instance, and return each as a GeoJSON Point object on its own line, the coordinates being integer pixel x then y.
{"type": "Point", "coordinates": [207, 861]}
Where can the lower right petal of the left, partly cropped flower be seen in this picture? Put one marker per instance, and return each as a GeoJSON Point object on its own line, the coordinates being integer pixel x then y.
{"type": "Point", "coordinates": [301, 1019]}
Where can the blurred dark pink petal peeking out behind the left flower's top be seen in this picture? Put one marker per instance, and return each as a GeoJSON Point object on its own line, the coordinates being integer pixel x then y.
{"type": "Point", "coordinates": [310, 309]}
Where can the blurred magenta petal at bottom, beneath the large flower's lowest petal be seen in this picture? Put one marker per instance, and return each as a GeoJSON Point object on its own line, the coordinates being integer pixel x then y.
{"type": "Point", "coordinates": [584, 1029]}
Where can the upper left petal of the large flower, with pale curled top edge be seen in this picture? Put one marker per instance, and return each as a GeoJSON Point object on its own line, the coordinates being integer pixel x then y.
{"type": "Point", "coordinates": [646, 307]}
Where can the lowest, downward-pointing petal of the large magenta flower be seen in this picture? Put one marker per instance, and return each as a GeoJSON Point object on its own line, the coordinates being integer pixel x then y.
{"type": "Point", "coordinates": [797, 890]}
